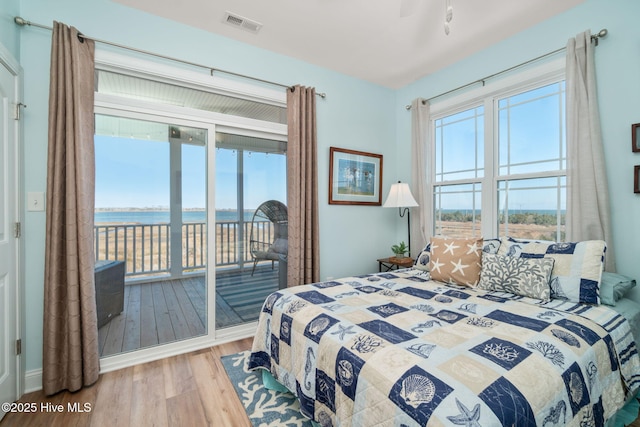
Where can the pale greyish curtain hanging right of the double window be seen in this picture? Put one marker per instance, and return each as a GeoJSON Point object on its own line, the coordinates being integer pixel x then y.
{"type": "Point", "coordinates": [588, 214]}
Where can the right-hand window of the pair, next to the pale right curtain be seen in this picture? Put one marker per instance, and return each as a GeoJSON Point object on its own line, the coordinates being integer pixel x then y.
{"type": "Point", "coordinates": [531, 179]}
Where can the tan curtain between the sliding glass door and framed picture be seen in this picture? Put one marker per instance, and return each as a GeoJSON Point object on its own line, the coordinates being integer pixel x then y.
{"type": "Point", "coordinates": [302, 187]}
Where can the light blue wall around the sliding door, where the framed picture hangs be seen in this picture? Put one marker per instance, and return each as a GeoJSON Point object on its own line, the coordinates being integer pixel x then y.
{"type": "Point", "coordinates": [354, 115]}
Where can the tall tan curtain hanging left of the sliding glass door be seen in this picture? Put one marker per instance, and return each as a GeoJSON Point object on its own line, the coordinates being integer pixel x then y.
{"type": "Point", "coordinates": [70, 359]}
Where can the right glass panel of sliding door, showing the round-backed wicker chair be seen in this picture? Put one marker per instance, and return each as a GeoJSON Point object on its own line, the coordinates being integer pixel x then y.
{"type": "Point", "coordinates": [250, 224]}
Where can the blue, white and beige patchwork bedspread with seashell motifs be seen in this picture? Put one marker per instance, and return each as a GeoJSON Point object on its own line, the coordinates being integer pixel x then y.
{"type": "Point", "coordinates": [398, 349]}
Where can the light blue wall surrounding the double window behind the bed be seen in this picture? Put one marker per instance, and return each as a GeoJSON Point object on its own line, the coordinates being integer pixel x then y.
{"type": "Point", "coordinates": [618, 75]}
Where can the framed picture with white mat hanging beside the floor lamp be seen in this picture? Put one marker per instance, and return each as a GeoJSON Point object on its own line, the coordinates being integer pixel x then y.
{"type": "Point", "coordinates": [355, 177]}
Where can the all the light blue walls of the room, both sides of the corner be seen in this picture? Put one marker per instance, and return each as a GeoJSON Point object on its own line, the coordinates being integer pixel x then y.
{"type": "Point", "coordinates": [355, 115]}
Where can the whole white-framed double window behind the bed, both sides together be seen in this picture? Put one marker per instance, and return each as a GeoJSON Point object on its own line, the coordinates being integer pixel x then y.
{"type": "Point", "coordinates": [499, 163]}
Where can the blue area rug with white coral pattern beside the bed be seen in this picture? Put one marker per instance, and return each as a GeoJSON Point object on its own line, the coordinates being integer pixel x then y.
{"type": "Point", "coordinates": [264, 407]}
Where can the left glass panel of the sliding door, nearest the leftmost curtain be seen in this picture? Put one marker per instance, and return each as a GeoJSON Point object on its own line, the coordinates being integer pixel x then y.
{"type": "Point", "coordinates": [150, 232]}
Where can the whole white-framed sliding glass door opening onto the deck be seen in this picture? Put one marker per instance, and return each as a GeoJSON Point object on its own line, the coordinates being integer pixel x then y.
{"type": "Point", "coordinates": [182, 167]}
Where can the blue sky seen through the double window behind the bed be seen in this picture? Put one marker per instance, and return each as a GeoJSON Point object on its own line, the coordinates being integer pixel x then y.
{"type": "Point", "coordinates": [531, 141]}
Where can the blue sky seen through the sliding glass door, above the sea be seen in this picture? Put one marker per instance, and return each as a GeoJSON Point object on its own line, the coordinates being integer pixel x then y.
{"type": "Point", "coordinates": [135, 173]}
